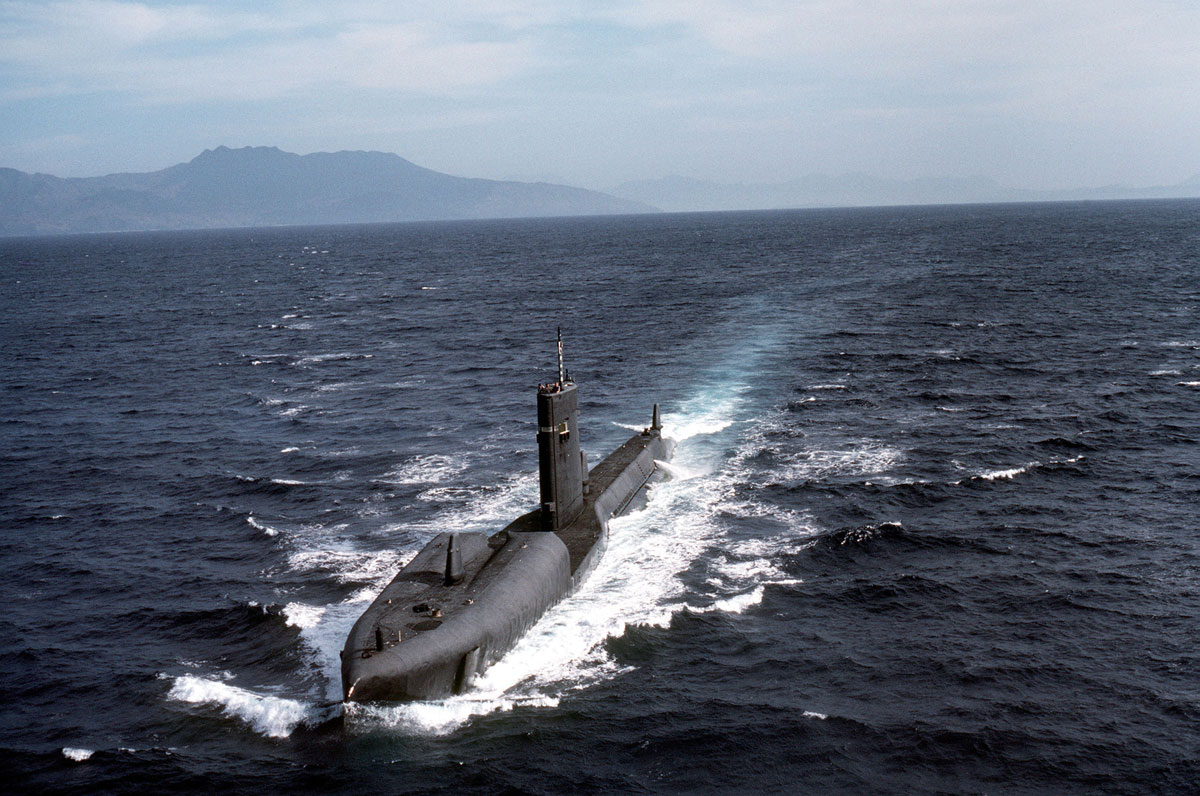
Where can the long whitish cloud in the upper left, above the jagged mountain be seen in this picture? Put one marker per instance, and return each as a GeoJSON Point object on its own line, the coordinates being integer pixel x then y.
{"type": "Point", "coordinates": [188, 53]}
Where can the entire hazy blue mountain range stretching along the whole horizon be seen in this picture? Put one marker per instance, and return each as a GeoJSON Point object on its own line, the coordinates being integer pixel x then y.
{"type": "Point", "coordinates": [259, 187]}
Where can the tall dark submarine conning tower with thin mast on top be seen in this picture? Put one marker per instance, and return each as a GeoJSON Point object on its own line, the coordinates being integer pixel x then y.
{"type": "Point", "coordinates": [561, 468]}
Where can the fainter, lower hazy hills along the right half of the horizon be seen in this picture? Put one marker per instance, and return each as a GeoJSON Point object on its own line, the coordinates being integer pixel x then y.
{"type": "Point", "coordinates": [680, 194]}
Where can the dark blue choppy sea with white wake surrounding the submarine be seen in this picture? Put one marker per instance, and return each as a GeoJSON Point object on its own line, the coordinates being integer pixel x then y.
{"type": "Point", "coordinates": [932, 526]}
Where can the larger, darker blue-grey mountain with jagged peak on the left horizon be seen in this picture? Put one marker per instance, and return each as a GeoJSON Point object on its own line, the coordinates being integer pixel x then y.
{"type": "Point", "coordinates": [265, 187]}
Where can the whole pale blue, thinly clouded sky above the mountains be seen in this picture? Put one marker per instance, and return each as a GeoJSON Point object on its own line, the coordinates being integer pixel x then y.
{"type": "Point", "coordinates": [1047, 94]}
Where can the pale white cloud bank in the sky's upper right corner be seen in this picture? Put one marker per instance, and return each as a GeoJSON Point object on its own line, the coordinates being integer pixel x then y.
{"type": "Point", "coordinates": [945, 46]}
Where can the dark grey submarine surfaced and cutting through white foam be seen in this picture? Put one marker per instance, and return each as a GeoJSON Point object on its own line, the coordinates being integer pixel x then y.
{"type": "Point", "coordinates": [467, 597]}
